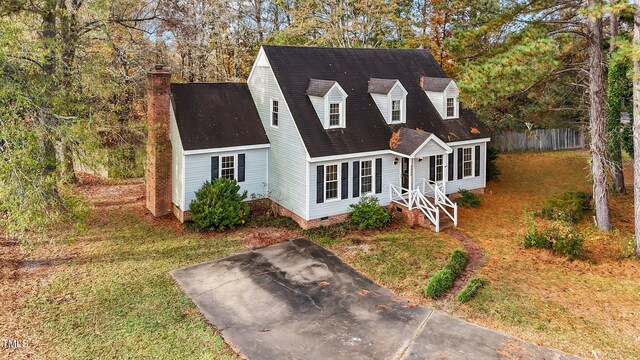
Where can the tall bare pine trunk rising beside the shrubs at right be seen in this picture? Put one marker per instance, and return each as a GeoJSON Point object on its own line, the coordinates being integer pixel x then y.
{"type": "Point", "coordinates": [598, 122]}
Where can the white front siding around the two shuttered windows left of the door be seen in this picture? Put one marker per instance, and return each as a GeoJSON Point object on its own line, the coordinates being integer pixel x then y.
{"type": "Point", "coordinates": [390, 174]}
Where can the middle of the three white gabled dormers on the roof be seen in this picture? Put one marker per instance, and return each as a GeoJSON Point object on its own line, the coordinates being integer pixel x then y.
{"type": "Point", "coordinates": [391, 98]}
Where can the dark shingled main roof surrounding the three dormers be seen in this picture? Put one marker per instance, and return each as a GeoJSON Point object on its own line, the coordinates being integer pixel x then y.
{"type": "Point", "coordinates": [366, 129]}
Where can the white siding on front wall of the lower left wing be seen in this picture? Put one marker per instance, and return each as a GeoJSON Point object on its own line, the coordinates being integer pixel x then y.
{"type": "Point", "coordinates": [198, 170]}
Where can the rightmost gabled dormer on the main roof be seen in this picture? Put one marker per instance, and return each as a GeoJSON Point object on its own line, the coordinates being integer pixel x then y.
{"type": "Point", "coordinates": [443, 94]}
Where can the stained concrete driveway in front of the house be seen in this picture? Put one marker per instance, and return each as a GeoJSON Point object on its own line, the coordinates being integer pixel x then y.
{"type": "Point", "coordinates": [296, 300]}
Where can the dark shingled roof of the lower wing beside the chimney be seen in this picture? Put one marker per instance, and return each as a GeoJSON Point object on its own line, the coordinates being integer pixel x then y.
{"type": "Point", "coordinates": [216, 115]}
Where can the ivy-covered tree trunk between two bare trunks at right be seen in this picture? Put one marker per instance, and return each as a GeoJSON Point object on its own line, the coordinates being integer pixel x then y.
{"type": "Point", "coordinates": [614, 126]}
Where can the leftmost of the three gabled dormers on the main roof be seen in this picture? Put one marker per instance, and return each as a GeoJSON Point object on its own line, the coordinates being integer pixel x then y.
{"type": "Point", "coordinates": [330, 102]}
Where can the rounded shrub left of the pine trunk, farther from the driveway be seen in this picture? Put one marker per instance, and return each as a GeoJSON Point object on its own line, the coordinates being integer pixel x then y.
{"type": "Point", "coordinates": [568, 206]}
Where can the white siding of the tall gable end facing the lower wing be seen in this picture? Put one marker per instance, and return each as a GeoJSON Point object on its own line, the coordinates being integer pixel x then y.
{"type": "Point", "coordinates": [287, 155]}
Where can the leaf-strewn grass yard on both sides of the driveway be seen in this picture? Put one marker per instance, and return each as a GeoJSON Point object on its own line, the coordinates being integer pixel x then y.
{"type": "Point", "coordinates": [105, 291]}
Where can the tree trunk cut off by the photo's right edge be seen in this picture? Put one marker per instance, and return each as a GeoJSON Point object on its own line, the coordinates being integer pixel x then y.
{"type": "Point", "coordinates": [636, 128]}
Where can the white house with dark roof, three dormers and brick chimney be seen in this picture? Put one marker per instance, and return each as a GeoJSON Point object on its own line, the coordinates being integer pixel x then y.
{"type": "Point", "coordinates": [316, 129]}
